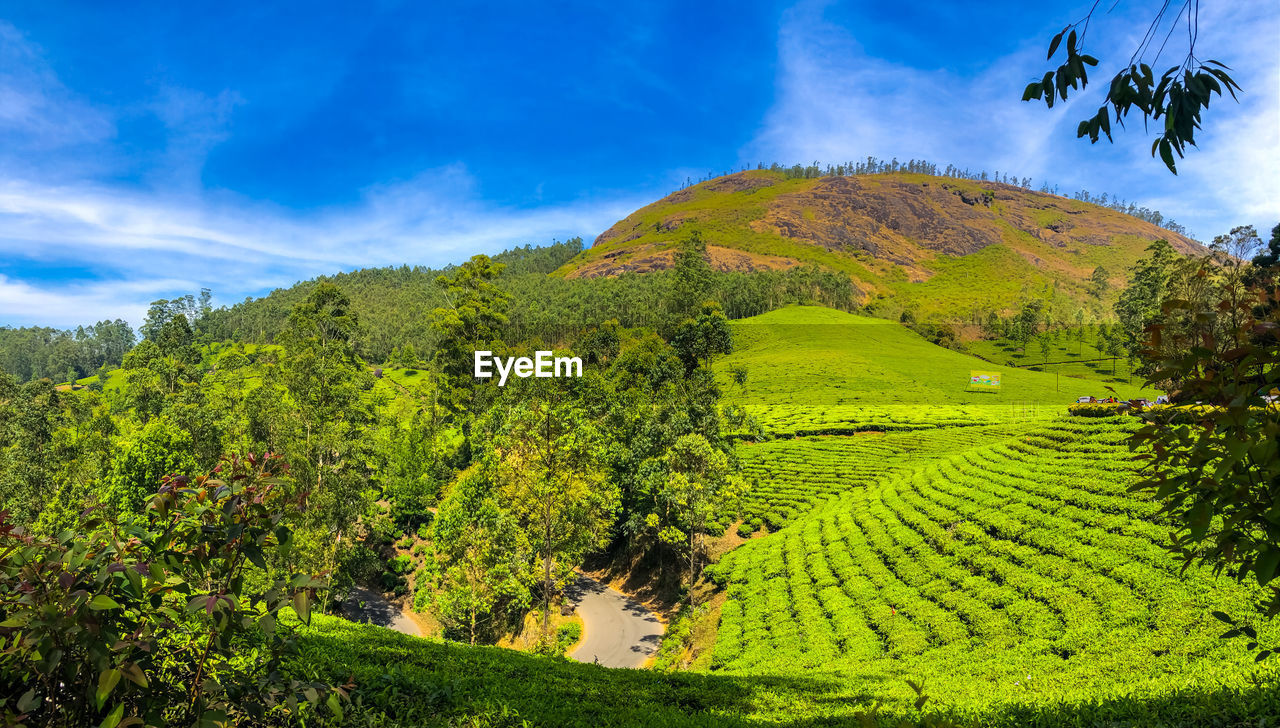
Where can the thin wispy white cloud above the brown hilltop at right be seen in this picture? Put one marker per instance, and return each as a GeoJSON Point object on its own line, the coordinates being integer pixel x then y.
{"type": "Point", "coordinates": [836, 103]}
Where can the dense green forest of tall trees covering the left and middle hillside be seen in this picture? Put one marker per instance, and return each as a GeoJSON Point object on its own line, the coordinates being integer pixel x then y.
{"type": "Point", "coordinates": [509, 487]}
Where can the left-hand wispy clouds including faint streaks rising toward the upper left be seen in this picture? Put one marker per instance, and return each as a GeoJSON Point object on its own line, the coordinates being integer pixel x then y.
{"type": "Point", "coordinates": [170, 236]}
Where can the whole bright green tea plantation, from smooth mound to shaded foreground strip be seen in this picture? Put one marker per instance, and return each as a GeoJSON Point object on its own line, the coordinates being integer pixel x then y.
{"type": "Point", "coordinates": [982, 548]}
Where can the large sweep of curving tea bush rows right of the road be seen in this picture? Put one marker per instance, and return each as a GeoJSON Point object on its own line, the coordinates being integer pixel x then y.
{"type": "Point", "coordinates": [1028, 555]}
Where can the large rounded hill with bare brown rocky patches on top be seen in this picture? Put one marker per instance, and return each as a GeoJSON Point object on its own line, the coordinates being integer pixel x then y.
{"type": "Point", "coordinates": [940, 248]}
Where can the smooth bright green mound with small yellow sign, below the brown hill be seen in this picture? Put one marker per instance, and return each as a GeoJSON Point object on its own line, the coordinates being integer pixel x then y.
{"type": "Point", "coordinates": [813, 370]}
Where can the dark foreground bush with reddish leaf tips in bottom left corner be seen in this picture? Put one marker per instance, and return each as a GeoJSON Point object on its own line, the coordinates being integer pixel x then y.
{"type": "Point", "coordinates": [152, 621]}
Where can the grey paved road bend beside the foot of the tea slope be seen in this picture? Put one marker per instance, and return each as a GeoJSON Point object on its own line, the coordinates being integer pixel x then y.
{"type": "Point", "coordinates": [619, 631]}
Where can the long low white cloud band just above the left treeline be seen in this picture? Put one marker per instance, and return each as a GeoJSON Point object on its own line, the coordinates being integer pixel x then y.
{"type": "Point", "coordinates": [240, 248]}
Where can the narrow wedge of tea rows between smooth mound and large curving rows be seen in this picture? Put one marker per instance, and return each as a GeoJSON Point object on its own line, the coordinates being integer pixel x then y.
{"type": "Point", "coordinates": [792, 477]}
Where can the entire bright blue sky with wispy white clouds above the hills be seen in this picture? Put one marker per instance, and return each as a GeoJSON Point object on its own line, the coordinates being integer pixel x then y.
{"type": "Point", "coordinates": [149, 150]}
